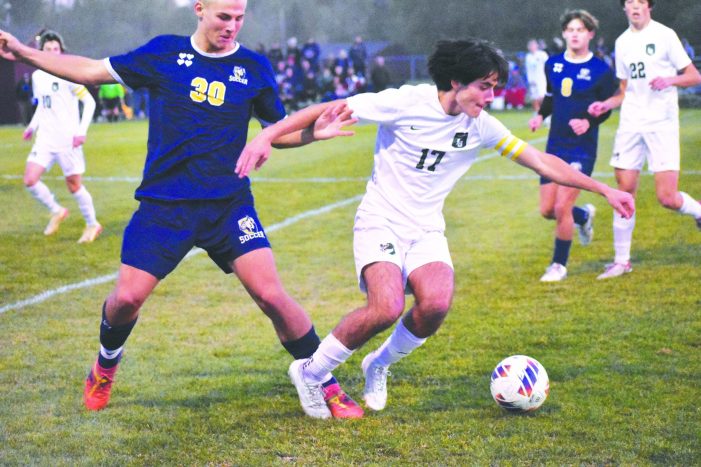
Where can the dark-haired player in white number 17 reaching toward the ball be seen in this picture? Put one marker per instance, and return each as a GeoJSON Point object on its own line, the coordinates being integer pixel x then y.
{"type": "Point", "coordinates": [428, 137]}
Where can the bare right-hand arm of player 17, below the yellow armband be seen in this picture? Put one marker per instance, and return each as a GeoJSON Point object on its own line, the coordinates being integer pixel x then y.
{"type": "Point", "coordinates": [560, 172]}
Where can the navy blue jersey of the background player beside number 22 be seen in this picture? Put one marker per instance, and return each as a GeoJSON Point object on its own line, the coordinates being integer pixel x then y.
{"type": "Point", "coordinates": [573, 86]}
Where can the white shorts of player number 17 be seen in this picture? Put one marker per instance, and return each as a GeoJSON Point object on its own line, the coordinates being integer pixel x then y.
{"type": "Point", "coordinates": [376, 239]}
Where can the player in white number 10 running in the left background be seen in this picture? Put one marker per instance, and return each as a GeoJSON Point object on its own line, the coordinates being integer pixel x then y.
{"type": "Point", "coordinates": [60, 134]}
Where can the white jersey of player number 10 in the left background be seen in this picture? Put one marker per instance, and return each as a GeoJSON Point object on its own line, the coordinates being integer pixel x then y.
{"type": "Point", "coordinates": [57, 117]}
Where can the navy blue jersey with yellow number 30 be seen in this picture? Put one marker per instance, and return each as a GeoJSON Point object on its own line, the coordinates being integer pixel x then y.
{"type": "Point", "coordinates": [200, 106]}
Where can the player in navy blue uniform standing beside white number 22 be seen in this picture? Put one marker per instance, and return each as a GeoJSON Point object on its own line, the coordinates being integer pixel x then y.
{"type": "Point", "coordinates": [576, 78]}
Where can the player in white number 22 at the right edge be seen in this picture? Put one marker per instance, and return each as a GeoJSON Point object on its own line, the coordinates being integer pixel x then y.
{"type": "Point", "coordinates": [651, 63]}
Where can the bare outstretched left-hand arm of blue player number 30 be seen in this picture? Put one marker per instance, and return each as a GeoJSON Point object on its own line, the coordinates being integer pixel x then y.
{"type": "Point", "coordinates": [70, 67]}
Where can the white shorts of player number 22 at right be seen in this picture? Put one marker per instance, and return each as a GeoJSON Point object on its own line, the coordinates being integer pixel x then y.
{"type": "Point", "coordinates": [660, 148]}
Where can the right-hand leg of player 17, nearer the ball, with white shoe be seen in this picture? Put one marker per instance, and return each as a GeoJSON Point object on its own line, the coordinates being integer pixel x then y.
{"type": "Point", "coordinates": [433, 286]}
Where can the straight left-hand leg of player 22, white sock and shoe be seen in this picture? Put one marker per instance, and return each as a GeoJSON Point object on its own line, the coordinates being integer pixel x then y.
{"type": "Point", "coordinates": [622, 228]}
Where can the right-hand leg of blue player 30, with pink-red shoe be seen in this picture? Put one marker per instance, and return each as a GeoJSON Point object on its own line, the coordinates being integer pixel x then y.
{"type": "Point", "coordinates": [257, 272]}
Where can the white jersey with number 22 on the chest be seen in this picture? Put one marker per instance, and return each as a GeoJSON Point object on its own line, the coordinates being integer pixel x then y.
{"type": "Point", "coordinates": [642, 56]}
